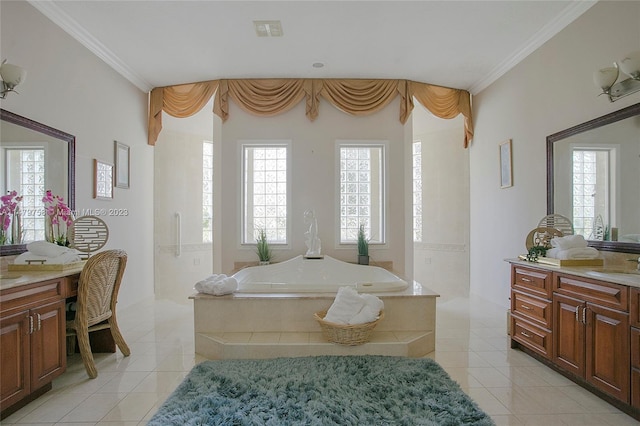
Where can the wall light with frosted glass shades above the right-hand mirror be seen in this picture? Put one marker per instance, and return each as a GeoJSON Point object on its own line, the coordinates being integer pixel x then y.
{"type": "Point", "coordinates": [606, 78]}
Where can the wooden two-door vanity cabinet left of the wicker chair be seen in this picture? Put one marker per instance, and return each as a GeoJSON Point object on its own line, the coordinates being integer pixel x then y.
{"type": "Point", "coordinates": [32, 337]}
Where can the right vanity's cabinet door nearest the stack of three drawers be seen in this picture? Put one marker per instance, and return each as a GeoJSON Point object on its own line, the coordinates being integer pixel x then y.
{"type": "Point", "coordinates": [568, 334]}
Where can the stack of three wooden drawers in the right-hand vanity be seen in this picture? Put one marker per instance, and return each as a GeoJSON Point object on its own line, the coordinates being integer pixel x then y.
{"type": "Point", "coordinates": [531, 313]}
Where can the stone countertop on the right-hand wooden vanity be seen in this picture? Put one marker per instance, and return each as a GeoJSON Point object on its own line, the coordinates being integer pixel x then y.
{"type": "Point", "coordinates": [626, 275]}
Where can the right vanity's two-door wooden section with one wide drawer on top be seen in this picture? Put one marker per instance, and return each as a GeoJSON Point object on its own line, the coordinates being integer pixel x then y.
{"type": "Point", "coordinates": [591, 332]}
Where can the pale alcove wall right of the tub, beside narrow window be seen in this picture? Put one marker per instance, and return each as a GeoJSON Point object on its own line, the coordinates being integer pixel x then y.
{"type": "Point", "coordinates": [441, 260]}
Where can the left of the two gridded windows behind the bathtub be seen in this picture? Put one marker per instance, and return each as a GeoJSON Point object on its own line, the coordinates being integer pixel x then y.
{"type": "Point", "coordinates": [265, 191]}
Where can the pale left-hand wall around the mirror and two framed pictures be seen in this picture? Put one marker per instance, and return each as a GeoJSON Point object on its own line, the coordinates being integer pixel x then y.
{"type": "Point", "coordinates": [69, 88]}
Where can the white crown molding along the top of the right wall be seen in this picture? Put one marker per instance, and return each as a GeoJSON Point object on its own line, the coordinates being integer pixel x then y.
{"type": "Point", "coordinates": [568, 15]}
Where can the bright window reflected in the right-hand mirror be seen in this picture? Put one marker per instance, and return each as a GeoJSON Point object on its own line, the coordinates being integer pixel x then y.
{"type": "Point", "coordinates": [591, 191]}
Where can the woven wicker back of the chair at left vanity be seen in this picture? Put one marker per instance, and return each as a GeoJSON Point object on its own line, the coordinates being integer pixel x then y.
{"type": "Point", "coordinates": [98, 287]}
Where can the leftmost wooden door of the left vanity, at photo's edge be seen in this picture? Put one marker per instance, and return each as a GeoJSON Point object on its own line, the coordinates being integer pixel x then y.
{"type": "Point", "coordinates": [14, 358]}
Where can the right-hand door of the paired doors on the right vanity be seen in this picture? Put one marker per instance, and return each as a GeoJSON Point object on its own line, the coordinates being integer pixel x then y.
{"type": "Point", "coordinates": [607, 350]}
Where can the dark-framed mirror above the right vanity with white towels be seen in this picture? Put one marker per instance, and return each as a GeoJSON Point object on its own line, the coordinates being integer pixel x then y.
{"type": "Point", "coordinates": [593, 178]}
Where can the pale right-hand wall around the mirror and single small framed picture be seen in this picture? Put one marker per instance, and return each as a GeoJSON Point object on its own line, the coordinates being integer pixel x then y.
{"type": "Point", "coordinates": [549, 91]}
